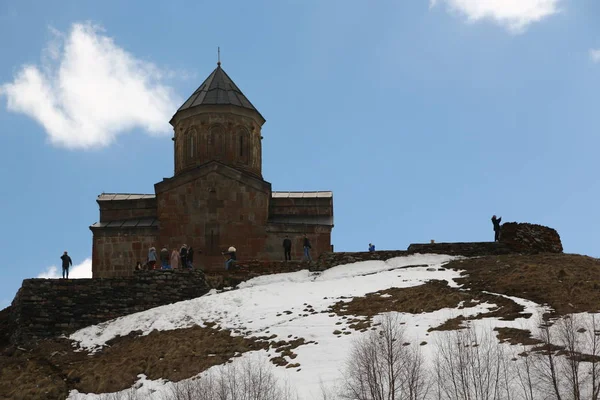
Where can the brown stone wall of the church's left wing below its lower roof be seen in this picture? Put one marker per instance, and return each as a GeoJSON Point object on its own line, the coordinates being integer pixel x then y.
{"type": "Point", "coordinates": [115, 252]}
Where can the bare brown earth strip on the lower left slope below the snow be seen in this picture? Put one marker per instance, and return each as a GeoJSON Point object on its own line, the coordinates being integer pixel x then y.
{"type": "Point", "coordinates": [51, 369]}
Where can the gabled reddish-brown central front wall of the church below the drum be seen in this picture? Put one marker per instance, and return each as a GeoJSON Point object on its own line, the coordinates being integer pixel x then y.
{"type": "Point", "coordinates": [212, 208]}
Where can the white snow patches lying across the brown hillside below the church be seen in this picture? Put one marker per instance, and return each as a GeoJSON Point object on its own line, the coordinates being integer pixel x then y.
{"type": "Point", "coordinates": [277, 305]}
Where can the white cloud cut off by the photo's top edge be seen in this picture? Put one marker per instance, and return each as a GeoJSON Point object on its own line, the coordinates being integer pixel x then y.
{"type": "Point", "coordinates": [515, 15]}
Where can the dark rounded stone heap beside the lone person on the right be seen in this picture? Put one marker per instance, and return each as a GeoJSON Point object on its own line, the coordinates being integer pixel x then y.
{"type": "Point", "coordinates": [530, 238]}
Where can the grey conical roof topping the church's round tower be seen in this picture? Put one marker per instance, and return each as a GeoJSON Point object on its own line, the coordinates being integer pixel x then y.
{"type": "Point", "coordinates": [218, 89]}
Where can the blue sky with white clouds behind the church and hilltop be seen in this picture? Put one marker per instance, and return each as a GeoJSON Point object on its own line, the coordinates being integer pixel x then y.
{"type": "Point", "coordinates": [423, 117]}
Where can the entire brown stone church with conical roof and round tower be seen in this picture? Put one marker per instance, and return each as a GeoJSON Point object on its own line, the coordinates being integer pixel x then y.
{"type": "Point", "coordinates": [216, 198]}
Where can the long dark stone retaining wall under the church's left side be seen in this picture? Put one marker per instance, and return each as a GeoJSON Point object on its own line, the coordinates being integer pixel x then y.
{"type": "Point", "coordinates": [49, 307]}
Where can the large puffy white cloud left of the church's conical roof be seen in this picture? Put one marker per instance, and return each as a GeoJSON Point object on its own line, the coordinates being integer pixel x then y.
{"type": "Point", "coordinates": [88, 90]}
